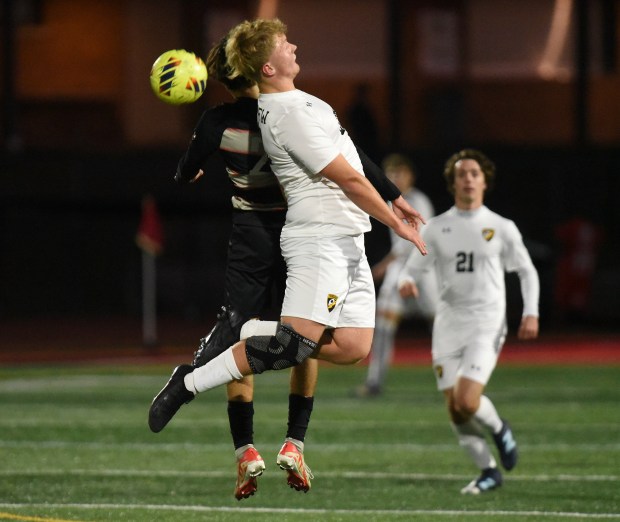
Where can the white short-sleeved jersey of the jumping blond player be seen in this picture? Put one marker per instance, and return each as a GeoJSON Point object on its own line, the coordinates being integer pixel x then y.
{"type": "Point", "coordinates": [302, 135]}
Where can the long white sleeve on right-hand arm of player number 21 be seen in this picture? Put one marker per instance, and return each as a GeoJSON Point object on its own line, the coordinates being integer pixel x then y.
{"type": "Point", "coordinates": [517, 259]}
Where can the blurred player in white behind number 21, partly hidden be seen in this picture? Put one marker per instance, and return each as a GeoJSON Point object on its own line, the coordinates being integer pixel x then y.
{"type": "Point", "coordinates": [391, 307]}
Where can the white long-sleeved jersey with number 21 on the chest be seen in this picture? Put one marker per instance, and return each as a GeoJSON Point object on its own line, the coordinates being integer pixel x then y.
{"type": "Point", "coordinates": [471, 250]}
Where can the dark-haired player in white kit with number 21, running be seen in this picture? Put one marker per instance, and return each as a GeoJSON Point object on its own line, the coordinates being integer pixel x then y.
{"type": "Point", "coordinates": [471, 247]}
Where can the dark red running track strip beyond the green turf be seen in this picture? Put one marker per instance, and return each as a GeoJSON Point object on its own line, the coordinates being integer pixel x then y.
{"type": "Point", "coordinates": [114, 340]}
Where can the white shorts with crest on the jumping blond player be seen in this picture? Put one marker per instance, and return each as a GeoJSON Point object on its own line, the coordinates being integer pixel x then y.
{"type": "Point", "coordinates": [328, 281]}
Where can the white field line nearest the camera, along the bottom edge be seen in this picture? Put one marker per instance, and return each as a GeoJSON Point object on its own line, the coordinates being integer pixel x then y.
{"type": "Point", "coordinates": [243, 511]}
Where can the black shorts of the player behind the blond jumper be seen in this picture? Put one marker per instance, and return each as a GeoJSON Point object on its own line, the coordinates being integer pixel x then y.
{"type": "Point", "coordinates": [255, 271]}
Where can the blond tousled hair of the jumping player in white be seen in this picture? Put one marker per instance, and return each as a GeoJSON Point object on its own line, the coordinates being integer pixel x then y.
{"type": "Point", "coordinates": [249, 46]}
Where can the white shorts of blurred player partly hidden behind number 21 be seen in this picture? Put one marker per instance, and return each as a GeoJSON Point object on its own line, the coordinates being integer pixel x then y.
{"type": "Point", "coordinates": [389, 299]}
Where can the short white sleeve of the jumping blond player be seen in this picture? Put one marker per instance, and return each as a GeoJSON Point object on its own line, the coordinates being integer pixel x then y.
{"type": "Point", "coordinates": [304, 138]}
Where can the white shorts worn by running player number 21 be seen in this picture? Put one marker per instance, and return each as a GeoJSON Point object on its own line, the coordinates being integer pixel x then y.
{"type": "Point", "coordinates": [466, 348]}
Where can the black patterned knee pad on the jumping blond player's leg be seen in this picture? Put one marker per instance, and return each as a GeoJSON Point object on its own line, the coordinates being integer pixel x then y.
{"type": "Point", "coordinates": [287, 348]}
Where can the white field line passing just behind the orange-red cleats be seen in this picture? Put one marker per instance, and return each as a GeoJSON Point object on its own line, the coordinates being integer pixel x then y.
{"type": "Point", "coordinates": [361, 475]}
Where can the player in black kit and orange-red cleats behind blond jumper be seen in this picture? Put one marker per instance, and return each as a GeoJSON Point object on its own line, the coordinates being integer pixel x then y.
{"type": "Point", "coordinates": [254, 268]}
